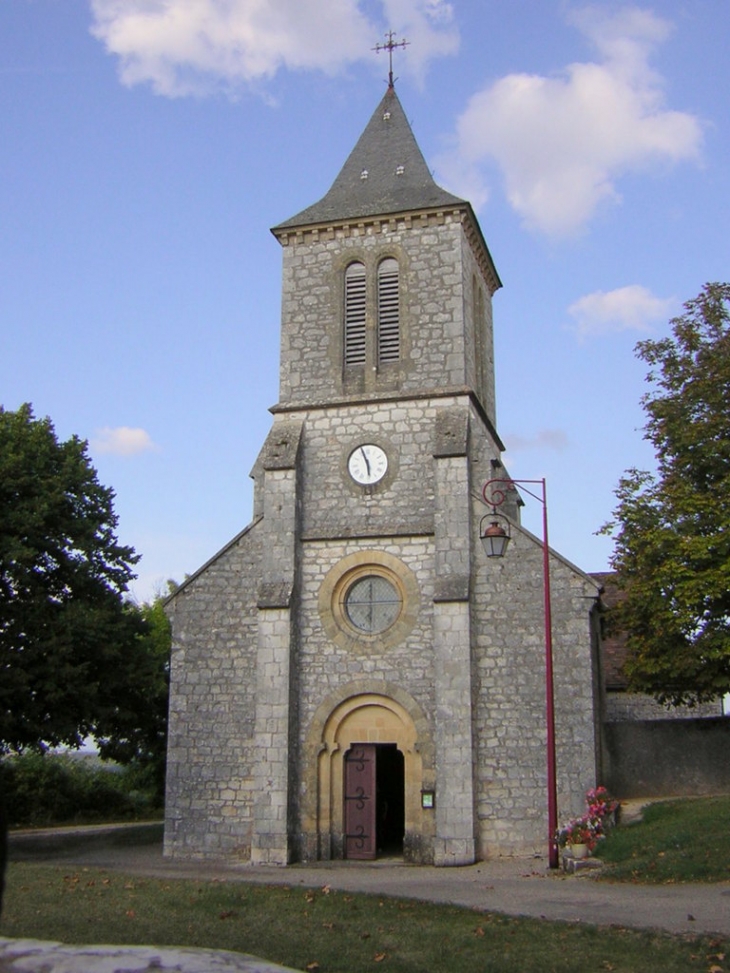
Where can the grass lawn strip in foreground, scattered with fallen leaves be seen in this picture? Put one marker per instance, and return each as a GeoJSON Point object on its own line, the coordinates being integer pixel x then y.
{"type": "Point", "coordinates": [328, 931]}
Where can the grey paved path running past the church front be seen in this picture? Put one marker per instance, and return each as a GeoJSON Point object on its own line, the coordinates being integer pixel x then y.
{"type": "Point", "coordinates": [518, 887]}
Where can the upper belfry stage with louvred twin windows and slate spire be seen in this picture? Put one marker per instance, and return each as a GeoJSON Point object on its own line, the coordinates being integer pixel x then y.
{"type": "Point", "coordinates": [387, 282]}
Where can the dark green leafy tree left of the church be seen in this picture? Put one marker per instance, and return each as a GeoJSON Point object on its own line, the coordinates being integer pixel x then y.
{"type": "Point", "coordinates": [68, 644]}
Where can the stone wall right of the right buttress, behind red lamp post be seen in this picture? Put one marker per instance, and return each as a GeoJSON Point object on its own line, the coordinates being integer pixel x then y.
{"type": "Point", "coordinates": [509, 651]}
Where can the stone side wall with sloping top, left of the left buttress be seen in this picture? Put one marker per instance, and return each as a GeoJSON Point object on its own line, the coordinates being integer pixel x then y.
{"type": "Point", "coordinates": [212, 707]}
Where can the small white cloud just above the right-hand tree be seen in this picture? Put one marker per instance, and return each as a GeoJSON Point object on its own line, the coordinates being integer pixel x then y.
{"type": "Point", "coordinates": [632, 308]}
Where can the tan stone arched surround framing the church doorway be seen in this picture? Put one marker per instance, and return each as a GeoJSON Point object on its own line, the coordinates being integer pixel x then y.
{"type": "Point", "coordinates": [367, 711]}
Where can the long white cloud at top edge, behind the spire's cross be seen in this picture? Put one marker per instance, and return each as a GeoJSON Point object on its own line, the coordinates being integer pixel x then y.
{"type": "Point", "coordinates": [184, 47]}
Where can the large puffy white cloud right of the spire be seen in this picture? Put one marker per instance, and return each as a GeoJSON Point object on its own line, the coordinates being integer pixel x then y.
{"type": "Point", "coordinates": [562, 142]}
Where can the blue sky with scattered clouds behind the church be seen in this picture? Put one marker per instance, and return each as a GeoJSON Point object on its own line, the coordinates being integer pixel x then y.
{"type": "Point", "coordinates": [147, 146]}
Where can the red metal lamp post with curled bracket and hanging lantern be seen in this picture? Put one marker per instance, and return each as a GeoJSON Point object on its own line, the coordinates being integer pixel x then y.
{"type": "Point", "coordinates": [495, 540]}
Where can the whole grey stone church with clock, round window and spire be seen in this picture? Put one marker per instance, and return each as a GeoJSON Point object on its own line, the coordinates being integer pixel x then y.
{"type": "Point", "coordinates": [351, 676]}
